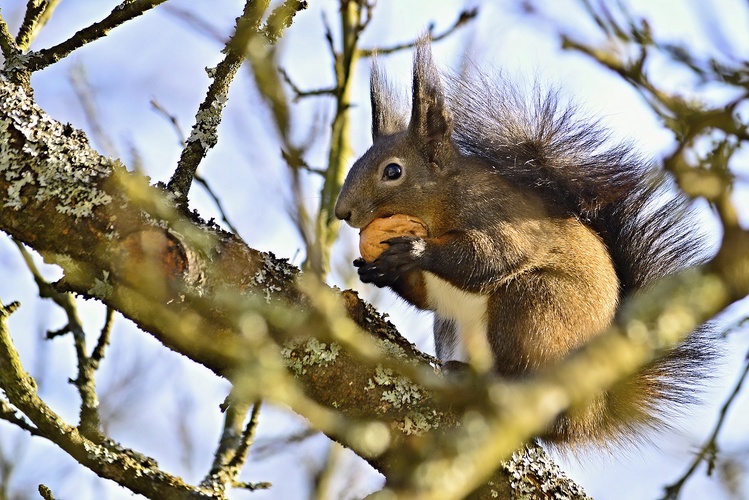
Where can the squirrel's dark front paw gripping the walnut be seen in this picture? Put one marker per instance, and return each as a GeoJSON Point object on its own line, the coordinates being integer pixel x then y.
{"type": "Point", "coordinates": [400, 257]}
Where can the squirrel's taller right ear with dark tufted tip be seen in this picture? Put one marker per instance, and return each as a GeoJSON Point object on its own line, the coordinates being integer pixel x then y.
{"type": "Point", "coordinates": [431, 121]}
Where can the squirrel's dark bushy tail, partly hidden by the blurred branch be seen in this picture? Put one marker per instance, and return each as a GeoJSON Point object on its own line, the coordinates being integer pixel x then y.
{"type": "Point", "coordinates": [647, 226]}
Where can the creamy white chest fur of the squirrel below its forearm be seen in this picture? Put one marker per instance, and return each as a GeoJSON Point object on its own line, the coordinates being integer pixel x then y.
{"type": "Point", "coordinates": [468, 311]}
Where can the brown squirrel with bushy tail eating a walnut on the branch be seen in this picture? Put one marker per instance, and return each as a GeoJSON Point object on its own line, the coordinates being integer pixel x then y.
{"type": "Point", "coordinates": [538, 229]}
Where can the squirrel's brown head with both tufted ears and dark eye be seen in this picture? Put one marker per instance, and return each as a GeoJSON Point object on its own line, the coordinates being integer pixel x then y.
{"type": "Point", "coordinates": [404, 170]}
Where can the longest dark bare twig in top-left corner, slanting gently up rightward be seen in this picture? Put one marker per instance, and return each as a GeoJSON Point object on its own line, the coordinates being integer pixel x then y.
{"type": "Point", "coordinates": [124, 12]}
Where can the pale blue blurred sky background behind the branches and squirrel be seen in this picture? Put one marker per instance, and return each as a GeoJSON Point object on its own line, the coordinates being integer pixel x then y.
{"type": "Point", "coordinates": [122, 90]}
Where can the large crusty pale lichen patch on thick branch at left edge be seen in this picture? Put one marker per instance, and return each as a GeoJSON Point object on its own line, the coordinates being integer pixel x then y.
{"type": "Point", "coordinates": [40, 152]}
